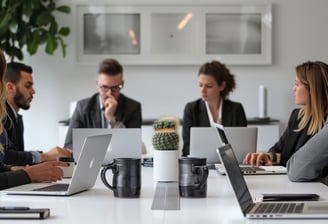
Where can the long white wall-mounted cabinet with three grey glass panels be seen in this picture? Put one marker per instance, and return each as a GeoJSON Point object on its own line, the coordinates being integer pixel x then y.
{"type": "Point", "coordinates": [176, 34]}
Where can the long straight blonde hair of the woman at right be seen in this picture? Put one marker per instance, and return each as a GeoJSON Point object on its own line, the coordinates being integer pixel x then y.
{"type": "Point", "coordinates": [314, 76]}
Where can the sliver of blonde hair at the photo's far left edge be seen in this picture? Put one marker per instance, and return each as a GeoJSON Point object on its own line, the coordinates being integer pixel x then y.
{"type": "Point", "coordinates": [3, 66]}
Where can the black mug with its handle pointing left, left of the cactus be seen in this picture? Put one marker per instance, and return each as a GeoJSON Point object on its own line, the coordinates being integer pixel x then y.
{"type": "Point", "coordinates": [126, 180]}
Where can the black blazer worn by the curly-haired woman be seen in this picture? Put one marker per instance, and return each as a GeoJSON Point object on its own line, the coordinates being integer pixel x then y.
{"type": "Point", "coordinates": [195, 115]}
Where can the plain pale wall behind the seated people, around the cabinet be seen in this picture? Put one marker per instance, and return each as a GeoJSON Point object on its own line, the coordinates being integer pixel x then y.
{"type": "Point", "coordinates": [299, 34]}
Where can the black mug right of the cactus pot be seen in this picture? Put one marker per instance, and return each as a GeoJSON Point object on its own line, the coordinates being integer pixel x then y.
{"type": "Point", "coordinates": [193, 174]}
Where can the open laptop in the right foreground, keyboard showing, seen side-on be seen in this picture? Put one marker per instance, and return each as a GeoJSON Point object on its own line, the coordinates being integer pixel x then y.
{"type": "Point", "coordinates": [266, 210]}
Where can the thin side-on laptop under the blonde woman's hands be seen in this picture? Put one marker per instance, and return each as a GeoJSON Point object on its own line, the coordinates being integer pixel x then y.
{"type": "Point", "coordinates": [245, 169]}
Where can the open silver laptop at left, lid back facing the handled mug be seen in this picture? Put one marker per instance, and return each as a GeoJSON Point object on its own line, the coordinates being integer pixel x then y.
{"type": "Point", "coordinates": [84, 176]}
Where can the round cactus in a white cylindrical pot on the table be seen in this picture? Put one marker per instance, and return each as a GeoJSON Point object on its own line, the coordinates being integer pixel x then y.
{"type": "Point", "coordinates": [165, 142]}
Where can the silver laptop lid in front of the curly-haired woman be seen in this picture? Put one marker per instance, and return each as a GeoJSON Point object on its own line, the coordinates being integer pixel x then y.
{"type": "Point", "coordinates": [204, 141]}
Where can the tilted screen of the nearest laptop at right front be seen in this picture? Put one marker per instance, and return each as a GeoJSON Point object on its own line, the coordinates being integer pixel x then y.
{"type": "Point", "coordinates": [235, 176]}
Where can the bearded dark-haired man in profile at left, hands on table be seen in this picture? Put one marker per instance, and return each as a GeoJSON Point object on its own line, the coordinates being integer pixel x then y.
{"type": "Point", "coordinates": [19, 94]}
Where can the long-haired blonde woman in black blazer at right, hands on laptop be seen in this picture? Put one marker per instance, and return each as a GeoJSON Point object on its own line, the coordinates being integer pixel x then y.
{"type": "Point", "coordinates": [311, 93]}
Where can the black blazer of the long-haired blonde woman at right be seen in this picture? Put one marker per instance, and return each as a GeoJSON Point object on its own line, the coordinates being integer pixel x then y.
{"type": "Point", "coordinates": [291, 140]}
